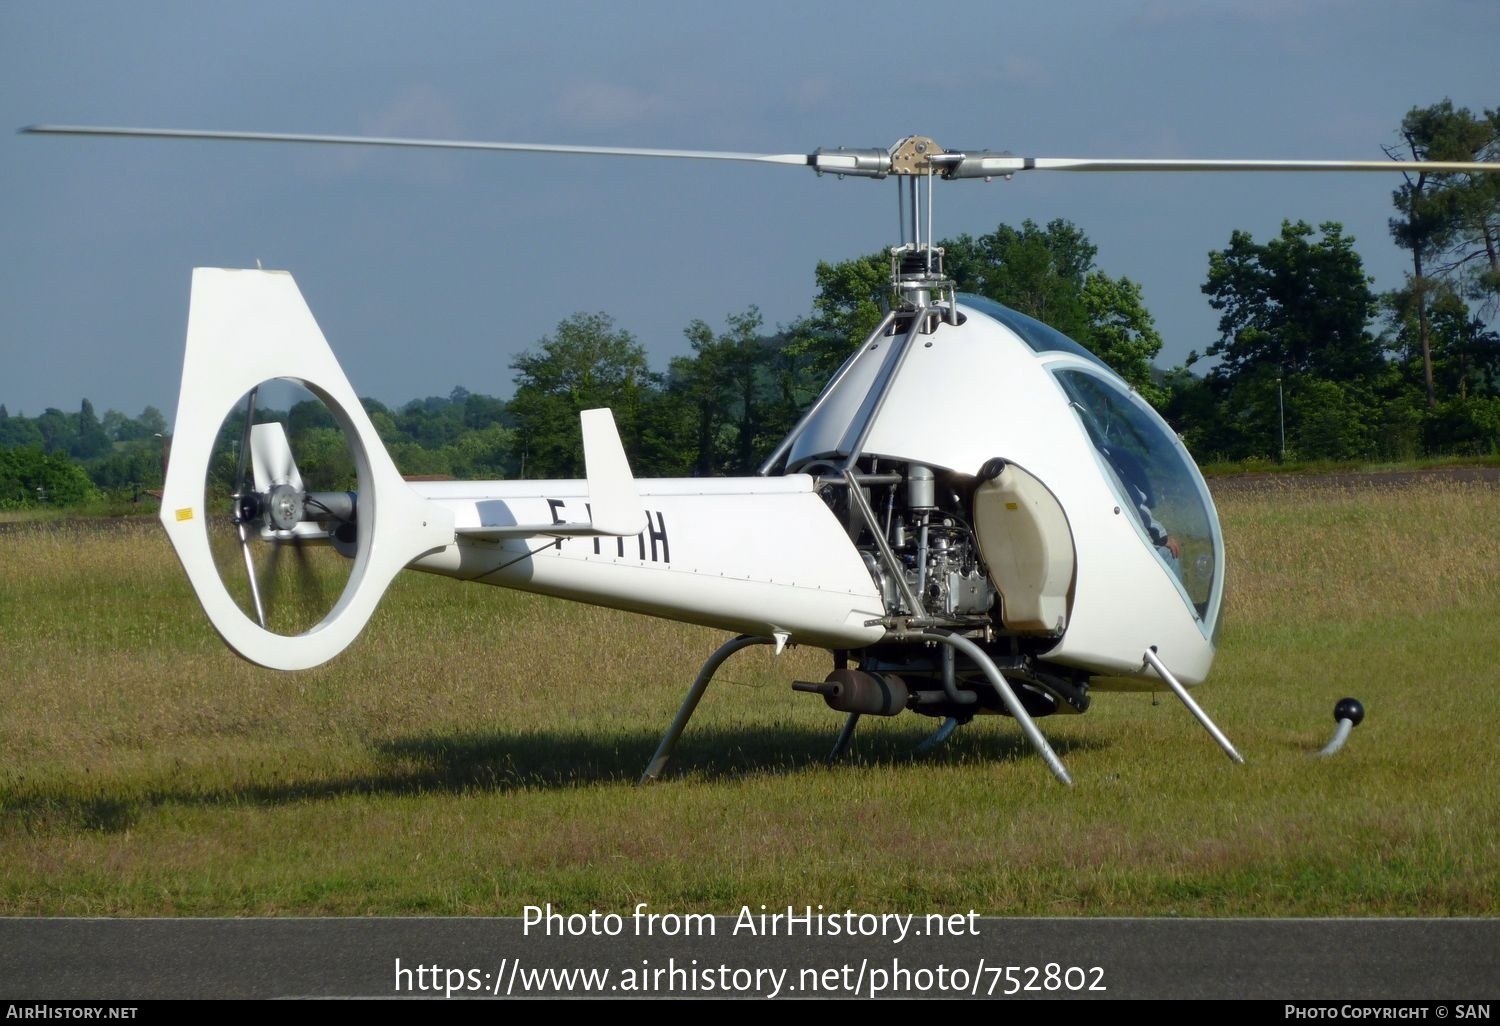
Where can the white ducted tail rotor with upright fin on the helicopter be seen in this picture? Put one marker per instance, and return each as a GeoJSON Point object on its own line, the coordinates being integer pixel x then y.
{"type": "Point", "coordinates": [287, 559]}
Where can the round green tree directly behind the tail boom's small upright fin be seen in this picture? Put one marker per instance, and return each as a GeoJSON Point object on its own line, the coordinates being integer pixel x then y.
{"type": "Point", "coordinates": [584, 365]}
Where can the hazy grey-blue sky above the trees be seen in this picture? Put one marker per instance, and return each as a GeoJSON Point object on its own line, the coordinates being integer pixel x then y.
{"type": "Point", "coordinates": [430, 271]}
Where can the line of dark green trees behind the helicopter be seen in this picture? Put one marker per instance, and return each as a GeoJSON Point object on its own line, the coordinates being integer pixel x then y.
{"type": "Point", "coordinates": [1310, 364]}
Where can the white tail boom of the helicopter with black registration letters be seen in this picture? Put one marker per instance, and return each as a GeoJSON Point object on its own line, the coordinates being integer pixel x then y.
{"type": "Point", "coordinates": [760, 556]}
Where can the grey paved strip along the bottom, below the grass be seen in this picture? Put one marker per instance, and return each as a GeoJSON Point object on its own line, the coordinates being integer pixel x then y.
{"type": "Point", "coordinates": [1195, 959]}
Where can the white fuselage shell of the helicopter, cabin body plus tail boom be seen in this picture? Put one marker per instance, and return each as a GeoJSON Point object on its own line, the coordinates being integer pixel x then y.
{"type": "Point", "coordinates": [767, 556]}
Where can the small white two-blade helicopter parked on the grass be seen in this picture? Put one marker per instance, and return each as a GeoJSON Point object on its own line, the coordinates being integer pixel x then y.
{"type": "Point", "coordinates": [974, 517]}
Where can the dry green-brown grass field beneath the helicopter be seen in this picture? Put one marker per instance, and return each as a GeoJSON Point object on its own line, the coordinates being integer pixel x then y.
{"type": "Point", "coordinates": [476, 751]}
